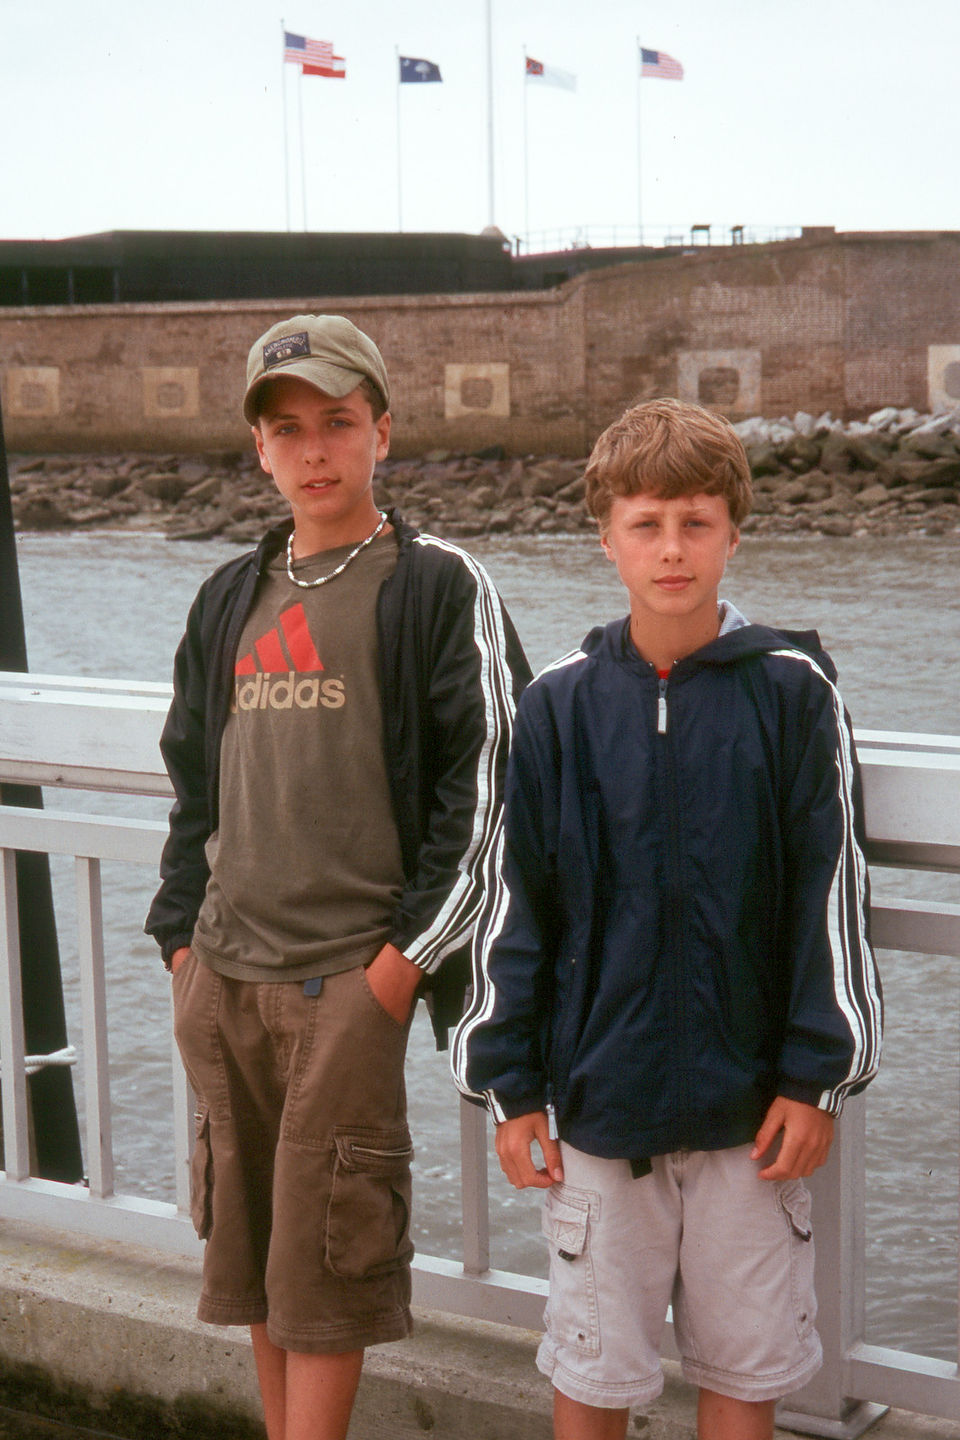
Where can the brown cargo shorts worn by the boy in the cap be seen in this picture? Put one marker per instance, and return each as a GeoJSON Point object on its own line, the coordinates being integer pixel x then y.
{"type": "Point", "coordinates": [302, 1167]}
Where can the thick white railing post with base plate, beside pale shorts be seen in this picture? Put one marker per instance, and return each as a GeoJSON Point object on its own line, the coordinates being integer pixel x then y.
{"type": "Point", "coordinates": [840, 1220]}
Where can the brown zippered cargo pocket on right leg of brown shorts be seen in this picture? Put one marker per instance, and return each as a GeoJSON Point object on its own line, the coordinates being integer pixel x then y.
{"type": "Point", "coordinates": [369, 1218]}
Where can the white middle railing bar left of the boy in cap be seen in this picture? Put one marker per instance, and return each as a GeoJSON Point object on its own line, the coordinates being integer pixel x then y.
{"type": "Point", "coordinates": [97, 837]}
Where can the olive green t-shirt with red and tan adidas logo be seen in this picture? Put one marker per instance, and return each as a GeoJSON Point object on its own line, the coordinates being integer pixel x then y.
{"type": "Point", "coordinates": [306, 866]}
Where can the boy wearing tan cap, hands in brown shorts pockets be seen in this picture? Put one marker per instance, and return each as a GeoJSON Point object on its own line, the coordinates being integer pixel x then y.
{"type": "Point", "coordinates": [343, 703]}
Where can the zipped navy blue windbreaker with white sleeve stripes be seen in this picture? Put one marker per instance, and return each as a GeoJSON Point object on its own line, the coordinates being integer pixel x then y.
{"type": "Point", "coordinates": [680, 928]}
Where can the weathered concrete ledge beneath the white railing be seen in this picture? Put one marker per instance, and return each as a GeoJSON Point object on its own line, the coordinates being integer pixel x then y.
{"type": "Point", "coordinates": [106, 1337]}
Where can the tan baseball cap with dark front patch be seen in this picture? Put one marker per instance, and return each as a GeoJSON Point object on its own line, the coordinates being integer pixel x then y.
{"type": "Point", "coordinates": [325, 351]}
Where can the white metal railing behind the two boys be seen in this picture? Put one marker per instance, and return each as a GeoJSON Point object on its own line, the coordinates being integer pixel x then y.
{"type": "Point", "coordinates": [103, 737]}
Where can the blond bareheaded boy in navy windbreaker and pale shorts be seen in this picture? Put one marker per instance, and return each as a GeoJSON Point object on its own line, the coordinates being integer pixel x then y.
{"type": "Point", "coordinates": [679, 993]}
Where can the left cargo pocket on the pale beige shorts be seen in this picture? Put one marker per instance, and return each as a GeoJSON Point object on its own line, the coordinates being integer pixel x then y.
{"type": "Point", "coordinates": [572, 1310]}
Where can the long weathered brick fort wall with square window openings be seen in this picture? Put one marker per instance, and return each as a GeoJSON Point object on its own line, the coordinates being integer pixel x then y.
{"type": "Point", "coordinates": [827, 323]}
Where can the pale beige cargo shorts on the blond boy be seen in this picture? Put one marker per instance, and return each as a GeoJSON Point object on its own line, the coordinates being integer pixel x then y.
{"type": "Point", "coordinates": [730, 1252]}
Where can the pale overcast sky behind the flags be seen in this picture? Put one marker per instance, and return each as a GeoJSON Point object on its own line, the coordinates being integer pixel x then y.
{"type": "Point", "coordinates": [182, 116]}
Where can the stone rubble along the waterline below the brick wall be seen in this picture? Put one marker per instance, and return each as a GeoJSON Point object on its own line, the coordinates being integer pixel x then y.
{"type": "Point", "coordinates": [896, 473]}
